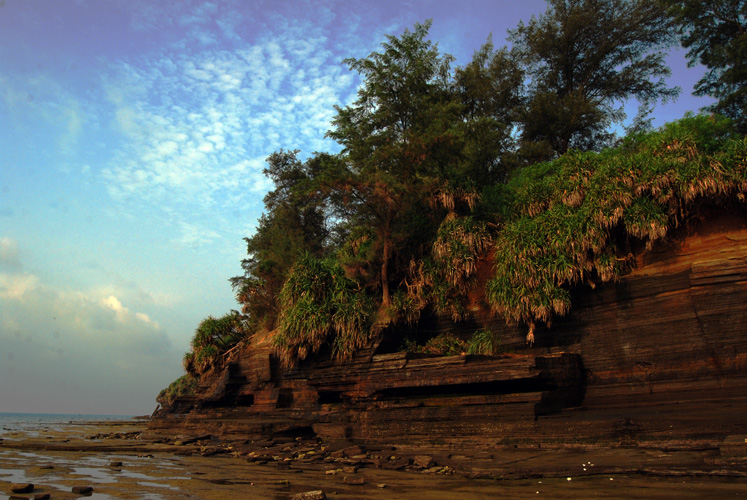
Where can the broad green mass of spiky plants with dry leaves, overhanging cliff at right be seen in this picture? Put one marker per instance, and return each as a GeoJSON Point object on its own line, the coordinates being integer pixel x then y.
{"type": "Point", "coordinates": [572, 220]}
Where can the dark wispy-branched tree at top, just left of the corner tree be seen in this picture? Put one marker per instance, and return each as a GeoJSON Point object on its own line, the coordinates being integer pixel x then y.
{"type": "Point", "coordinates": [586, 57]}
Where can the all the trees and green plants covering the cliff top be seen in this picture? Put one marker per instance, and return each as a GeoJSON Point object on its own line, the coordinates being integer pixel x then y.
{"type": "Point", "coordinates": [507, 164]}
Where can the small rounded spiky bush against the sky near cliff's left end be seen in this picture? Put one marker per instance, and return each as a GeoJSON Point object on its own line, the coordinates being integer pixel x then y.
{"type": "Point", "coordinates": [212, 339]}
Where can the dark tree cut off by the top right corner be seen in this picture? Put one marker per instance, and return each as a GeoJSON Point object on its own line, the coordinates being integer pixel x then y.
{"type": "Point", "coordinates": [715, 32]}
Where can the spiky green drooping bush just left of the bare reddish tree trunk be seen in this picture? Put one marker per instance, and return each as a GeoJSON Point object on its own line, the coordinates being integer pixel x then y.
{"type": "Point", "coordinates": [321, 306]}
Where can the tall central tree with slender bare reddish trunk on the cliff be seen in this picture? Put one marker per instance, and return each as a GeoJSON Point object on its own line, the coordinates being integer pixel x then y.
{"type": "Point", "coordinates": [396, 137]}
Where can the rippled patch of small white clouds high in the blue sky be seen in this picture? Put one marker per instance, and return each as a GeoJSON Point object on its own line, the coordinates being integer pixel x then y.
{"type": "Point", "coordinates": [200, 124]}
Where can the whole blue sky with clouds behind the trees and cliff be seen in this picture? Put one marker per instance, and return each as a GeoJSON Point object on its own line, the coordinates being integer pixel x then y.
{"type": "Point", "coordinates": [132, 140]}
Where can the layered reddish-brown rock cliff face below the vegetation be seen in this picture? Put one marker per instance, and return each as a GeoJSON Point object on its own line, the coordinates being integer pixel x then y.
{"type": "Point", "coordinates": [658, 356]}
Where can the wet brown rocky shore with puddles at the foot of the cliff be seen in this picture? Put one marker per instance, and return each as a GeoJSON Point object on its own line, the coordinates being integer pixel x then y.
{"type": "Point", "coordinates": [121, 461]}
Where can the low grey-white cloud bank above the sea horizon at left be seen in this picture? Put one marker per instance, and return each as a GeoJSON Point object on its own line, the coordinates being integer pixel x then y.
{"type": "Point", "coordinates": [80, 351]}
